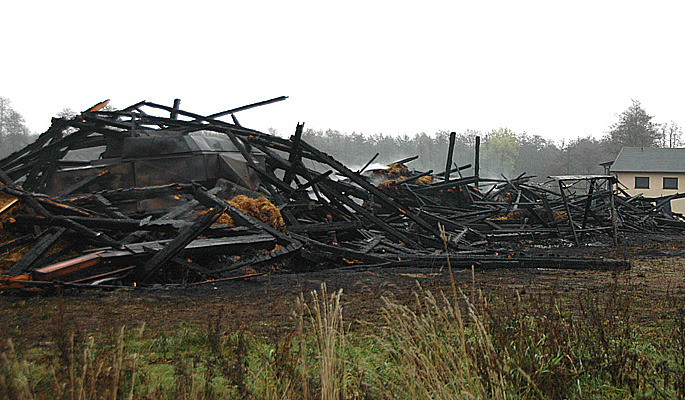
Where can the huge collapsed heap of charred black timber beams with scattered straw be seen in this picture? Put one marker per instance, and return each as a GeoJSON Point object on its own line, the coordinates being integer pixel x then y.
{"type": "Point", "coordinates": [152, 194]}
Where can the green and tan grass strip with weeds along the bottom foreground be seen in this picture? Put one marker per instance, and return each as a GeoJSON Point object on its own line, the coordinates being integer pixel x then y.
{"type": "Point", "coordinates": [452, 345]}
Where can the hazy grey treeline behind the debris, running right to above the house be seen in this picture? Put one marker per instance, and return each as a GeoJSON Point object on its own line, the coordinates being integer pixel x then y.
{"type": "Point", "coordinates": [502, 151]}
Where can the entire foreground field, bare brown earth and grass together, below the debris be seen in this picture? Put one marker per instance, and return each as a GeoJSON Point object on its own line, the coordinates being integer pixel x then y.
{"type": "Point", "coordinates": [378, 333]}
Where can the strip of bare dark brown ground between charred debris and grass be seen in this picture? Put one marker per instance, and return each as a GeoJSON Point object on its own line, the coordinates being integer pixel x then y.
{"type": "Point", "coordinates": [264, 305]}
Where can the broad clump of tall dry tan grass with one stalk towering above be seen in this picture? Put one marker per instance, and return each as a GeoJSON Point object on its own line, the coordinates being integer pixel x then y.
{"type": "Point", "coordinates": [430, 345]}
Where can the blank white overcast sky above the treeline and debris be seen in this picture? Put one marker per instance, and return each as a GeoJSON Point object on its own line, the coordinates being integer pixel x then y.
{"type": "Point", "coordinates": [560, 70]}
